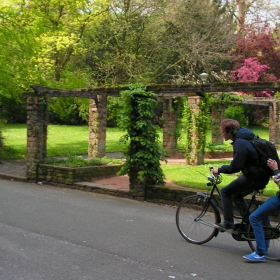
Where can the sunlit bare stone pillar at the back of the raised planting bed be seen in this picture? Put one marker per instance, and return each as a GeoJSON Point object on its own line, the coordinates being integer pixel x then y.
{"type": "Point", "coordinates": [97, 126]}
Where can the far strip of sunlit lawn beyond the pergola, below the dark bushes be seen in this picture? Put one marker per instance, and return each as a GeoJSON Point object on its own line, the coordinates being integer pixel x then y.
{"type": "Point", "coordinates": [63, 139]}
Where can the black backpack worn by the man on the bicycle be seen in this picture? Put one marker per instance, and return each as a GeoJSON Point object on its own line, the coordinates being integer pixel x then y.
{"type": "Point", "coordinates": [265, 150]}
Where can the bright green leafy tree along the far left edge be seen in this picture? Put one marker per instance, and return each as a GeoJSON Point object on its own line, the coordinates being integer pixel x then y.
{"type": "Point", "coordinates": [16, 52]}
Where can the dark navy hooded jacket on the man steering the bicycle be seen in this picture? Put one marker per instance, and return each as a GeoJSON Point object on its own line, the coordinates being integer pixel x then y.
{"type": "Point", "coordinates": [245, 158]}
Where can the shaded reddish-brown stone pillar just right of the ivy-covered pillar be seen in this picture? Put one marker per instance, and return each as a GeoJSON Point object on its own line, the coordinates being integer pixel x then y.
{"type": "Point", "coordinates": [169, 126]}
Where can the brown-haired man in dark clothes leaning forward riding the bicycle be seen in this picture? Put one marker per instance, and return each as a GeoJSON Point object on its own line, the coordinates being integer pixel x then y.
{"type": "Point", "coordinates": [246, 160]}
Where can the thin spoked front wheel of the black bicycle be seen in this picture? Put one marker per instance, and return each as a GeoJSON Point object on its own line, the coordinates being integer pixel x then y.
{"type": "Point", "coordinates": [195, 219]}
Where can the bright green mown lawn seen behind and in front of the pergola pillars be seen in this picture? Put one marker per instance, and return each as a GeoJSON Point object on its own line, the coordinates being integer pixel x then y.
{"type": "Point", "coordinates": [67, 139]}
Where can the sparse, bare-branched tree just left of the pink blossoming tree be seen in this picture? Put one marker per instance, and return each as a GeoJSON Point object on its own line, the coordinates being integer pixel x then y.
{"type": "Point", "coordinates": [198, 37]}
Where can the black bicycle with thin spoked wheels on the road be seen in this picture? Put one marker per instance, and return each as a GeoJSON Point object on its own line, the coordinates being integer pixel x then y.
{"type": "Point", "coordinates": [198, 214]}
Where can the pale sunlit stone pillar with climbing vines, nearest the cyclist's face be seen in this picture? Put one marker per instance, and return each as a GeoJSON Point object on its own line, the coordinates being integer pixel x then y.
{"type": "Point", "coordinates": [197, 157]}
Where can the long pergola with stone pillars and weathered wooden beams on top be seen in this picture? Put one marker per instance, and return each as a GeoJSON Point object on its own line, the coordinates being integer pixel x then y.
{"type": "Point", "coordinates": [37, 114]}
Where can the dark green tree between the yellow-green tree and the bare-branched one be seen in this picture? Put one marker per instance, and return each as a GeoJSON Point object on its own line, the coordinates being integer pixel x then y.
{"type": "Point", "coordinates": [121, 46]}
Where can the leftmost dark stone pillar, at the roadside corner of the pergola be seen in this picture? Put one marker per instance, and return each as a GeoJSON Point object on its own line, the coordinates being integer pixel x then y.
{"type": "Point", "coordinates": [36, 135]}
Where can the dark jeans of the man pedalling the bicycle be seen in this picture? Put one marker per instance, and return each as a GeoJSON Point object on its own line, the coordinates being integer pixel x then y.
{"type": "Point", "coordinates": [235, 191]}
